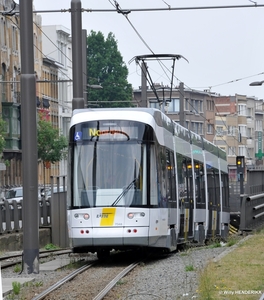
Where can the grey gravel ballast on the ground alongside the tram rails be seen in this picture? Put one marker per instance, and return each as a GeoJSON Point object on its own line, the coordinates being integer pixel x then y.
{"type": "Point", "coordinates": [170, 277]}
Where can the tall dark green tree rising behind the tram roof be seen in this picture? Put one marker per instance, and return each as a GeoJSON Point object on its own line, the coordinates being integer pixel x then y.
{"type": "Point", "coordinates": [105, 67]}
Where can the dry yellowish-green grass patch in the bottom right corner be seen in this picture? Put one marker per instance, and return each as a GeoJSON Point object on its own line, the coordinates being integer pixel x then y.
{"type": "Point", "coordinates": [238, 275]}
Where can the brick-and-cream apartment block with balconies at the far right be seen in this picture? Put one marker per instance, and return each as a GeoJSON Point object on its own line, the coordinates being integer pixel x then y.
{"type": "Point", "coordinates": [239, 129]}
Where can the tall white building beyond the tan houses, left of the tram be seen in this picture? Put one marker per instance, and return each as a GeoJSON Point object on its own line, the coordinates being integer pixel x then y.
{"type": "Point", "coordinates": [57, 48]}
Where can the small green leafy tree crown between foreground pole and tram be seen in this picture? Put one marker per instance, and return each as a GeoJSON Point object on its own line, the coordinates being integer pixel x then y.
{"type": "Point", "coordinates": [51, 146]}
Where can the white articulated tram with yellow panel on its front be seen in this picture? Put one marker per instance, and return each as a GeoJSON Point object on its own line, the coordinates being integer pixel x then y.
{"type": "Point", "coordinates": [136, 179]}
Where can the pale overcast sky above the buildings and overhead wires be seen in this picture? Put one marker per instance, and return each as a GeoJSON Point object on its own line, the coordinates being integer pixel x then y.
{"type": "Point", "coordinates": [224, 46]}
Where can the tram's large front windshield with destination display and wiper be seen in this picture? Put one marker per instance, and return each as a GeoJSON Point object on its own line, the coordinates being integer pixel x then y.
{"type": "Point", "coordinates": [108, 164]}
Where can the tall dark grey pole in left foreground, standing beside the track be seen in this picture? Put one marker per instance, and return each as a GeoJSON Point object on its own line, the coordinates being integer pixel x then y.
{"type": "Point", "coordinates": [29, 142]}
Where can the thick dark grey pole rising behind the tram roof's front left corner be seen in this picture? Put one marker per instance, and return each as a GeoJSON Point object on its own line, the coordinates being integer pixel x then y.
{"type": "Point", "coordinates": [77, 65]}
